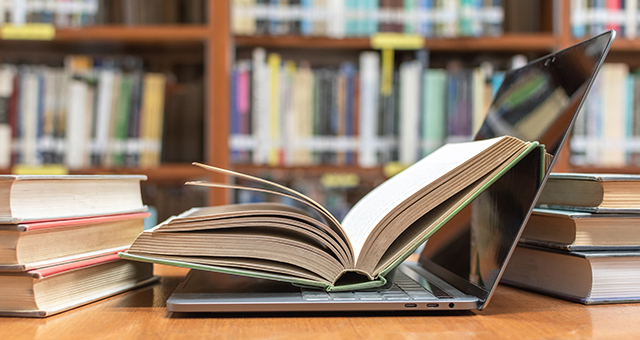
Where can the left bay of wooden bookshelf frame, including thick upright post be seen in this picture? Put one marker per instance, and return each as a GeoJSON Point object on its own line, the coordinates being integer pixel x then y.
{"type": "Point", "coordinates": [179, 41]}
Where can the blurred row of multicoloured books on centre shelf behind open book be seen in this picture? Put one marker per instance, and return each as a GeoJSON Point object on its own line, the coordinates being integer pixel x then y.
{"type": "Point", "coordinates": [296, 114]}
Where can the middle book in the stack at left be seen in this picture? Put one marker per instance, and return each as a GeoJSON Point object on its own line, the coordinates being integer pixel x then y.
{"type": "Point", "coordinates": [34, 244]}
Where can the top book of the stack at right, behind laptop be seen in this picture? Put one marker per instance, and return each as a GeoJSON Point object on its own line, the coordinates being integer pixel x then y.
{"type": "Point", "coordinates": [592, 192]}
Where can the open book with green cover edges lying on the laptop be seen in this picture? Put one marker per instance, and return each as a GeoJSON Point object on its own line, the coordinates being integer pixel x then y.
{"type": "Point", "coordinates": [309, 247]}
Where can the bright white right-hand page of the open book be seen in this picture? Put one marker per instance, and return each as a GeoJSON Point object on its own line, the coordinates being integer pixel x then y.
{"type": "Point", "coordinates": [382, 200]}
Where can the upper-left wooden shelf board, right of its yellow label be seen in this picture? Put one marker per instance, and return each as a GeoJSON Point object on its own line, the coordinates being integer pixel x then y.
{"type": "Point", "coordinates": [159, 33]}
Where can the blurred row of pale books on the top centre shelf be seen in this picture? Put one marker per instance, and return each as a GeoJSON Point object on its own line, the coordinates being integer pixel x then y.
{"type": "Point", "coordinates": [338, 19]}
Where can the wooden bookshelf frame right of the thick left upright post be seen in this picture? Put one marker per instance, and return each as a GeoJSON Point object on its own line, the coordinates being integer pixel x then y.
{"type": "Point", "coordinates": [555, 34]}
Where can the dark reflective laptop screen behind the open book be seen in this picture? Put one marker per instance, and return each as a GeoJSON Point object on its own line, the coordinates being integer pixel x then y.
{"type": "Point", "coordinates": [537, 102]}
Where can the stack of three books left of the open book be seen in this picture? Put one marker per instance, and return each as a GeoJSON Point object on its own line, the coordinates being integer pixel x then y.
{"type": "Point", "coordinates": [59, 239]}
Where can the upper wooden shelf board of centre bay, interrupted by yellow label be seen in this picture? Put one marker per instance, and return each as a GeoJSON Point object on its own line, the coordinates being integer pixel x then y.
{"type": "Point", "coordinates": [507, 42]}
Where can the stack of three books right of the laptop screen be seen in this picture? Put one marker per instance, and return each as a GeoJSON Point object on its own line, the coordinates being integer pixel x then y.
{"type": "Point", "coordinates": [583, 242]}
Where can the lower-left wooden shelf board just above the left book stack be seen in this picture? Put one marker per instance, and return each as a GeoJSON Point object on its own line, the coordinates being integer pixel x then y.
{"type": "Point", "coordinates": [164, 173]}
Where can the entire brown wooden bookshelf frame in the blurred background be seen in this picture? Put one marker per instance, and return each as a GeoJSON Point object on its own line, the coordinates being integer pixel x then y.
{"type": "Point", "coordinates": [217, 47]}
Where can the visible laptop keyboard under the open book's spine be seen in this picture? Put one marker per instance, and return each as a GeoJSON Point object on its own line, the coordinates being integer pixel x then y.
{"type": "Point", "coordinates": [403, 289]}
